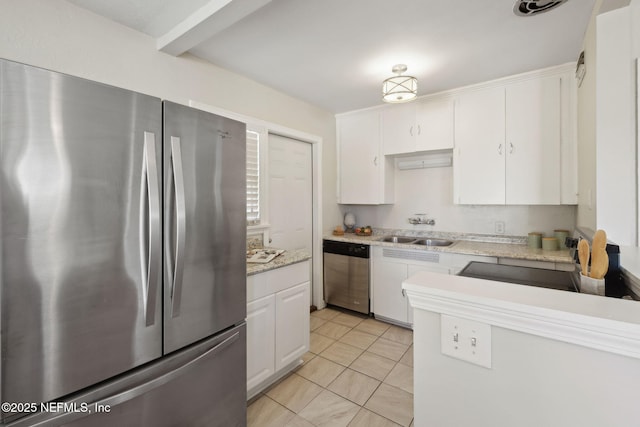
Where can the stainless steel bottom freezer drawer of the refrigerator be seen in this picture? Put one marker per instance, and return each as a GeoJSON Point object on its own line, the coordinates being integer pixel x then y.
{"type": "Point", "coordinates": [204, 385]}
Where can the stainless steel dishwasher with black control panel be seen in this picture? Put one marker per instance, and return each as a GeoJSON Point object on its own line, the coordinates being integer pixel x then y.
{"type": "Point", "coordinates": [346, 275]}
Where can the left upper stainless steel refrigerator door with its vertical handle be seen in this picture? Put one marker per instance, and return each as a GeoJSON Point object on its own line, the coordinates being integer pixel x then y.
{"type": "Point", "coordinates": [79, 219]}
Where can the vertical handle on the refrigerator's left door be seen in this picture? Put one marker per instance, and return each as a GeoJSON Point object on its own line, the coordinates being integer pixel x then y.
{"type": "Point", "coordinates": [150, 220]}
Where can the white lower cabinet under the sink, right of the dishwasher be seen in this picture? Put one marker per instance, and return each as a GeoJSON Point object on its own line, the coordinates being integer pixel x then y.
{"type": "Point", "coordinates": [391, 266]}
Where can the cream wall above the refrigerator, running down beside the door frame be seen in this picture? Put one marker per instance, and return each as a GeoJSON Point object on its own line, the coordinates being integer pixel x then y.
{"type": "Point", "coordinates": [57, 35]}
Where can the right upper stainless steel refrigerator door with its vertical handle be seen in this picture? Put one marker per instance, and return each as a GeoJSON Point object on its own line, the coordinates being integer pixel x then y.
{"type": "Point", "coordinates": [205, 224]}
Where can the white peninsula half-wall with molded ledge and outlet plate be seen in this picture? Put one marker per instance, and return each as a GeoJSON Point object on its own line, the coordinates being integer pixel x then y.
{"type": "Point", "coordinates": [521, 355]}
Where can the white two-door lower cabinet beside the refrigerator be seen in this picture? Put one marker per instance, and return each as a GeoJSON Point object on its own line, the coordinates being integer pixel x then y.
{"type": "Point", "coordinates": [277, 323]}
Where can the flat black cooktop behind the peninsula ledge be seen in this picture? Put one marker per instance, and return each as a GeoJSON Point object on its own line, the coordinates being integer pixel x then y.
{"type": "Point", "coordinates": [529, 276]}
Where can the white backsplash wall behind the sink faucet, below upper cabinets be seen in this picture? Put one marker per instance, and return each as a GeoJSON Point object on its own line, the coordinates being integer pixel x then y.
{"type": "Point", "coordinates": [430, 191]}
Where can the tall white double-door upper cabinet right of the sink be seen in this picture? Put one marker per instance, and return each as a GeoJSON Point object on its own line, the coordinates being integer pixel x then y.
{"type": "Point", "coordinates": [515, 143]}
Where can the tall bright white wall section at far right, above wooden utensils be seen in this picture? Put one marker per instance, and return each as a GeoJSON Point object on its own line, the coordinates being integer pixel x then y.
{"type": "Point", "coordinates": [616, 168]}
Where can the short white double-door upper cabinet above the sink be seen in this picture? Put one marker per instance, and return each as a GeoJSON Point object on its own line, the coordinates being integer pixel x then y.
{"type": "Point", "coordinates": [422, 126]}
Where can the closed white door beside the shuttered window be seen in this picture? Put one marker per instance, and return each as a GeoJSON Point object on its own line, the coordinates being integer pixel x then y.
{"type": "Point", "coordinates": [290, 193]}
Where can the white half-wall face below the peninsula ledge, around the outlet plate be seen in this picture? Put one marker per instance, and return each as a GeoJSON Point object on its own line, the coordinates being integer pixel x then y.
{"type": "Point", "coordinates": [533, 382]}
